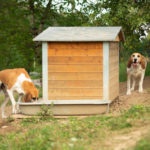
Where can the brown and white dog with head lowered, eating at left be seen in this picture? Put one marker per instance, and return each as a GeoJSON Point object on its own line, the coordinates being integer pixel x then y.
{"type": "Point", "coordinates": [16, 80]}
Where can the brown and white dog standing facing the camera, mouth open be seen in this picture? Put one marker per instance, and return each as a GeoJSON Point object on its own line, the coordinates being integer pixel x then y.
{"type": "Point", "coordinates": [136, 70]}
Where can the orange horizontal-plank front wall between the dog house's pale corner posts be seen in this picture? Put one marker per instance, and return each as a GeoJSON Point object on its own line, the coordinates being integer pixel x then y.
{"type": "Point", "coordinates": [75, 71]}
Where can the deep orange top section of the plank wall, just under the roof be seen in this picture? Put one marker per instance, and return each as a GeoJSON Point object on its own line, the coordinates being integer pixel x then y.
{"type": "Point", "coordinates": [75, 49]}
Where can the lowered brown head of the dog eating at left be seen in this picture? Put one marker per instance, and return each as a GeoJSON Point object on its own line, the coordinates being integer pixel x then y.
{"type": "Point", "coordinates": [32, 92]}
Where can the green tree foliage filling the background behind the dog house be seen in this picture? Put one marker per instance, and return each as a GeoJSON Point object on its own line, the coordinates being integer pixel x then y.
{"type": "Point", "coordinates": [22, 20]}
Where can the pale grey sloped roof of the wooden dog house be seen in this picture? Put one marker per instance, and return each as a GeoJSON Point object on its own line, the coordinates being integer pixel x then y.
{"type": "Point", "coordinates": [80, 34]}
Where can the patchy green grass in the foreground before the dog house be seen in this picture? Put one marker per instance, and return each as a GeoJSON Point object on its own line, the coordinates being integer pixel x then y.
{"type": "Point", "coordinates": [74, 134]}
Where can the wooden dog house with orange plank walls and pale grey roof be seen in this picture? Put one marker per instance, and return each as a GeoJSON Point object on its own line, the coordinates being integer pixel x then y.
{"type": "Point", "coordinates": [80, 68]}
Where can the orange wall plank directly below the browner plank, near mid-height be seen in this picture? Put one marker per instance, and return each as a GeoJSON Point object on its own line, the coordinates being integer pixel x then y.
{"type": "Point", "coordinates": [74, 68]}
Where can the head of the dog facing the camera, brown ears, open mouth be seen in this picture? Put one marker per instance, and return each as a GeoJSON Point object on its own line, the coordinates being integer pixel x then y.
{"type": "Point", "coordinates": [136, 59]}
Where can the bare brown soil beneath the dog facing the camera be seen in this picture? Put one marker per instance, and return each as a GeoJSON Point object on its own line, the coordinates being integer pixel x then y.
{"type": "Point", "coordinates": [126, 101]}
